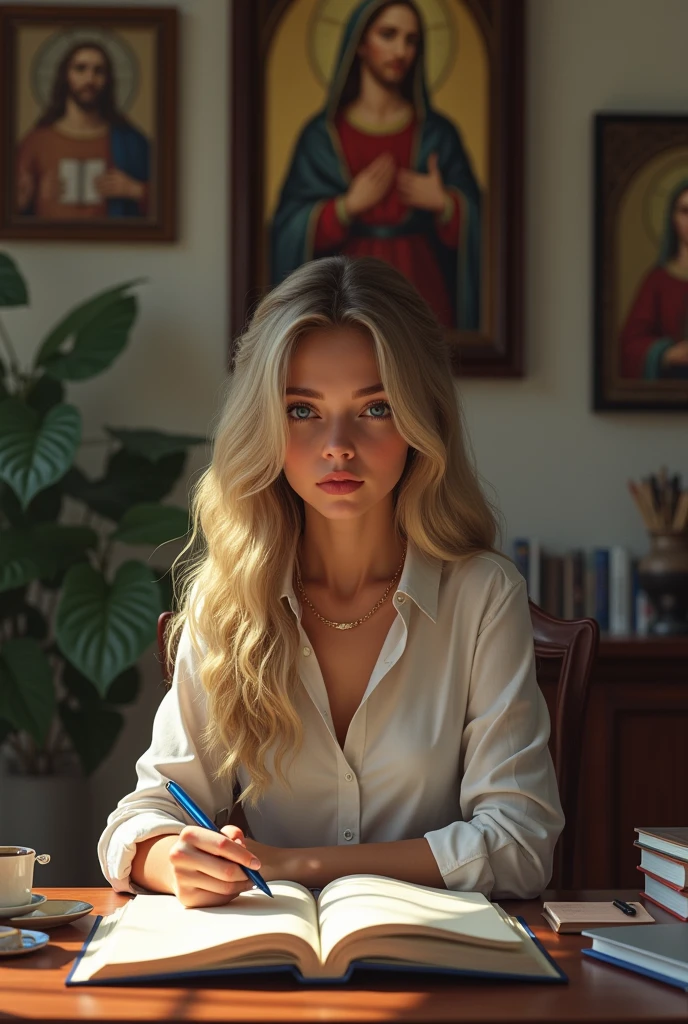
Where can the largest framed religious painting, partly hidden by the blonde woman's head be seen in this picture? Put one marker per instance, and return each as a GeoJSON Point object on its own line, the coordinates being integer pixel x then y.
{"type": "Point", "coordinates": [385, 132]}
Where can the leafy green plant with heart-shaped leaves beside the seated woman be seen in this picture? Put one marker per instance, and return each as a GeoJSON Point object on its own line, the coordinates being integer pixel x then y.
{"type": "Point", "coordinates": [73, 623]}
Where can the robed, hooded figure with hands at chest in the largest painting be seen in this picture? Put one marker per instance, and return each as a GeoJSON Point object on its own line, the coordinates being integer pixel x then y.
{"type": "Point", "coordinates": [380, 174]}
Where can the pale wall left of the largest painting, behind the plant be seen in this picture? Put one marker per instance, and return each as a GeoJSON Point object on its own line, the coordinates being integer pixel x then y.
{"type": "Point", "coordinates": [169, 376]}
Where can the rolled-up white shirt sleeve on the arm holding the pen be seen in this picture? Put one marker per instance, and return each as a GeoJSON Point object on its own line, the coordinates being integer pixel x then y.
{"type": "Point", "coordinates": [176, 753]}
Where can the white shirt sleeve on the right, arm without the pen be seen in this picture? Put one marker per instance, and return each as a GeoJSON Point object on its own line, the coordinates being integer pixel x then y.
{"type": "Point", "coordinates": [510, 805]}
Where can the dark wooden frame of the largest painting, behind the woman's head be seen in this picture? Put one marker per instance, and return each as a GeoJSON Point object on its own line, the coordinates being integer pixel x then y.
{"type": "Point", "coordinates": [496, 351]}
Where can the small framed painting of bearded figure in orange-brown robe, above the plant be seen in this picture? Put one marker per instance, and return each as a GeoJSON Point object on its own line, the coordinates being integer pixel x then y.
{"type": "Point", "coordinates": [89, 140]}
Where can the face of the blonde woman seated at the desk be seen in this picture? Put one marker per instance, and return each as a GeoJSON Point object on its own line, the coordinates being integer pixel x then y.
{"type": "Point", "coordinates": [333, 428]}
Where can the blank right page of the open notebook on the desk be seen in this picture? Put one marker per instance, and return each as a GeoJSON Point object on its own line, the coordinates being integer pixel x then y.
{"type": "Point", "coordinates": [369, 902]}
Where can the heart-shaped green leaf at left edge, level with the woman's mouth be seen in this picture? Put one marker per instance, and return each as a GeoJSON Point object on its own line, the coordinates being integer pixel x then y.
{"type": "Point", "coordinates": [36, 453]}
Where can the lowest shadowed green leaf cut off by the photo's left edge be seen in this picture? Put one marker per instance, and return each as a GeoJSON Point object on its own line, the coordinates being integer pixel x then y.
{"type": "Point", "coordinates": [27, 690]}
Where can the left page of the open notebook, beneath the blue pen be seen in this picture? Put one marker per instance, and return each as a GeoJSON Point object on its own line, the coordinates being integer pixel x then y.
{"type": "Point", "coordinates": [159, 934]}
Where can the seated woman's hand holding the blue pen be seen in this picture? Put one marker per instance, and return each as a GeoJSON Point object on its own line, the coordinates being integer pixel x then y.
{"type": "Point", "coordinates": [205, 866]}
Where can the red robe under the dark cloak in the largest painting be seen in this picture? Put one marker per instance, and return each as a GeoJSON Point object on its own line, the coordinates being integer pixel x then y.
{"type": "Point", "coordinates": [412, 254]}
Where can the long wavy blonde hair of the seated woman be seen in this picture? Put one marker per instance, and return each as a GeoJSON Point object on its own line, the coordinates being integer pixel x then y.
{"type": "Point", "coordinates": [247, 521]}
